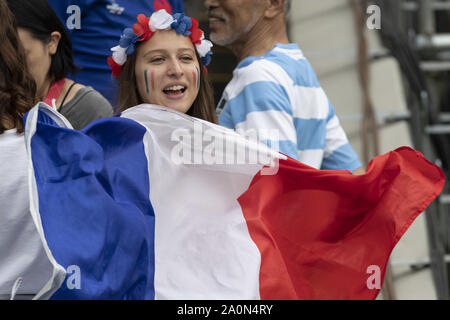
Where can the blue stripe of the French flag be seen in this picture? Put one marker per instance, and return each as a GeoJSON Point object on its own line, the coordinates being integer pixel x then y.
{"type": "Point", "coordinates": [94, 204]}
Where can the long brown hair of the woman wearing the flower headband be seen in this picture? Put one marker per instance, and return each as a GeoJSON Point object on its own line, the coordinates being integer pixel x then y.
{"type": "Point", "coordinates": [202, 108]}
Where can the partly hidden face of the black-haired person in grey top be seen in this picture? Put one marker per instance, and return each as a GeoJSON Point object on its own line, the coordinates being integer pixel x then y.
{"type": "Point", "coordinates": [39, 57]}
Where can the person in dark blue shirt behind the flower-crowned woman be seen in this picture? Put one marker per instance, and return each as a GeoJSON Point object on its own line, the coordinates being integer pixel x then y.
{"type": "Point", "coordinates": [100, 23]}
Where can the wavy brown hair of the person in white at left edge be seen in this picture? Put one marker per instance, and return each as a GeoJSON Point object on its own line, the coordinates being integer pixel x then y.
{"type": "Point", "coordinates": [17, 88]}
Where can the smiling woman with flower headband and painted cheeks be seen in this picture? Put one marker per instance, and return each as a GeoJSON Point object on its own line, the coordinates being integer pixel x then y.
{"type": "Point", "coordinates": [162, 61]}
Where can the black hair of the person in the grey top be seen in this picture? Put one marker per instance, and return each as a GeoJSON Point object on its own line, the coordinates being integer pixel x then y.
{"type": "Point", "coordinates": [38, 17]}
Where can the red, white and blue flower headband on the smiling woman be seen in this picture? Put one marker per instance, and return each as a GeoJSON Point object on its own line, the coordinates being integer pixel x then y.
{"type": "Point", "coordinates": [144, 30]}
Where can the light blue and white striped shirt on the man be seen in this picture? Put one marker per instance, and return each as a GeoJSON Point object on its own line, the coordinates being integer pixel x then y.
{"type": "Point", "coordinates": [279, 92]}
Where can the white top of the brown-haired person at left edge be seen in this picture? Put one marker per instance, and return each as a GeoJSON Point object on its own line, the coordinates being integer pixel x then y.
{"type": "Point", "coordinates": [21, 251]}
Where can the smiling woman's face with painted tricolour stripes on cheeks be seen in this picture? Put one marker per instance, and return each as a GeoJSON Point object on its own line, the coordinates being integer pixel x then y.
{"type": "Point", "coordinates": [167, 71]}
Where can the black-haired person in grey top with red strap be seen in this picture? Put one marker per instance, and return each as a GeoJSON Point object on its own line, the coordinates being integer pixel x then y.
{"type": "Point", "coordinates": [49, 58]}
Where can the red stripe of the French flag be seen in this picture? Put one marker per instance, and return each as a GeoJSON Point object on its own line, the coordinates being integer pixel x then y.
{"type": "Point", "coordinates": [319, 231]}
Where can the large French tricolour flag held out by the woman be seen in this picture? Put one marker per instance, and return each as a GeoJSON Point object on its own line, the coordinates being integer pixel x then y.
{"type": "Point", "coordinates": [141, 207]}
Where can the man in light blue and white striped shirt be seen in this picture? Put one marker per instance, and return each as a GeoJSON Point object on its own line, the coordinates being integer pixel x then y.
{"type": "Point", "coordinates": [274, 88]}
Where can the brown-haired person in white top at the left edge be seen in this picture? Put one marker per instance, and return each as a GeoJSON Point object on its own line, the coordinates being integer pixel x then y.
{"type": "Point", "coordinates": [24, 267]}
